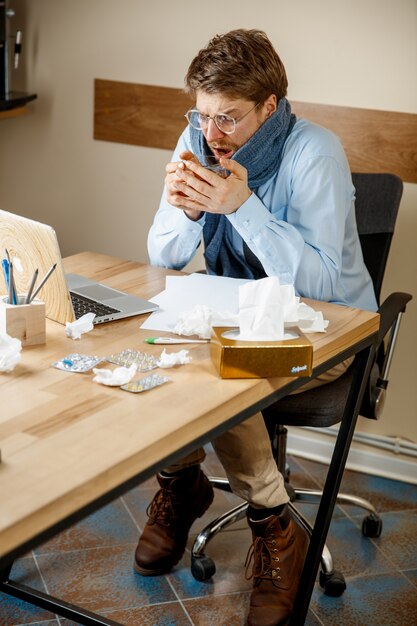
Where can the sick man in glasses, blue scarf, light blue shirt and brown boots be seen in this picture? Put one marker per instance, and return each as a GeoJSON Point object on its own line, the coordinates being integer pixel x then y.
{"type": "Point", "coordinates": [286, 208]}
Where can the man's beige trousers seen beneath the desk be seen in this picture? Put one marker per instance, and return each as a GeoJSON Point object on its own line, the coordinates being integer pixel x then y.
{"type": "Point", "coordinates": [246, 455]}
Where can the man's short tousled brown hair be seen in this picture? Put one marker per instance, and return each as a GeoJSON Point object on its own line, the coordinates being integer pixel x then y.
{"type": "Point", "coordinates": [241, 63]}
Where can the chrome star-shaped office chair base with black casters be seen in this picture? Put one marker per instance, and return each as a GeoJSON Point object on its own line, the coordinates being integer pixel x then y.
{"type": "Point", "coordinates": [331, 580]}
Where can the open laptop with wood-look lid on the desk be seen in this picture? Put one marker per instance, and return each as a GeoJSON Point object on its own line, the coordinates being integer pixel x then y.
{"type": "Point", "coordinates": [33, 245]}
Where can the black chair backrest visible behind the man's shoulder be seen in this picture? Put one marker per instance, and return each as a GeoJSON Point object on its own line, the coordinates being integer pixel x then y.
{"type": "Point", "coordinates": [378, 197]}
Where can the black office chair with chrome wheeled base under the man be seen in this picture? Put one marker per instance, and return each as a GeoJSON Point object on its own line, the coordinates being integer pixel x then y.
{"type": "Point", "coordinates": [377, 200]}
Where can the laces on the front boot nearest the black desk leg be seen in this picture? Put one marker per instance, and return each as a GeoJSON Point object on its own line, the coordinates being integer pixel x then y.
{"type": "Point", "coordinates": [263, 556]}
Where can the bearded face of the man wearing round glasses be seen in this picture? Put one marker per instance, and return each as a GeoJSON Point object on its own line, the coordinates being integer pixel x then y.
{"type": "Point", "coordinates": [221, 144]}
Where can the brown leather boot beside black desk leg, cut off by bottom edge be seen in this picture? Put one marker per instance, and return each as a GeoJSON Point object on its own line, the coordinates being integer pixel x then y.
{"type": "Point", "coordinates": [278, 553]}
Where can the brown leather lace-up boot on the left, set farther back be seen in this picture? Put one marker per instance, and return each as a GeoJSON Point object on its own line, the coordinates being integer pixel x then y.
{"type": "Point", "coordinates": [181, 499]}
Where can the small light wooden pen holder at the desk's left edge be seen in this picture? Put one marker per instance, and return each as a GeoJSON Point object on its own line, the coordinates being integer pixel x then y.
{"type": "Point", "coordinates": [23, 321]}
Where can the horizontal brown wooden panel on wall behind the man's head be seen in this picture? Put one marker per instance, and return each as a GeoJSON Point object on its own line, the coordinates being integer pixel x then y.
{"type": "Point", "coordinates": [153, 116]}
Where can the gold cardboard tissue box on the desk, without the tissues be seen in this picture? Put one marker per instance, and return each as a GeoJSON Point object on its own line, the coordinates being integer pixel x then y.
{"type": "Point", "coordinates": [234, 358]}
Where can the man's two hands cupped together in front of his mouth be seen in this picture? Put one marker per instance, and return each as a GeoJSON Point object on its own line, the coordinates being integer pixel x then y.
{"type": "Point", "coordinates": [195, 189]}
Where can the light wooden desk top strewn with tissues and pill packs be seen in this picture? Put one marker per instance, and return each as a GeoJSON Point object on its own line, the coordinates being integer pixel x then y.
{"type": "Point", "coordinates": [70, 445]}
